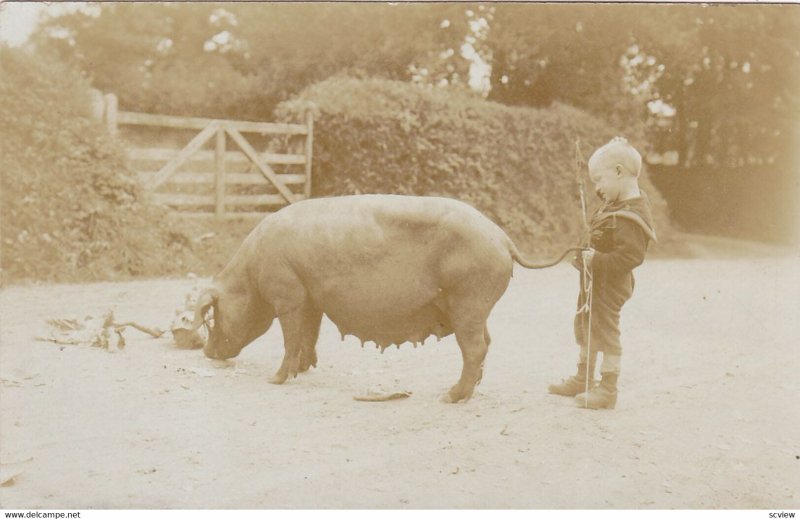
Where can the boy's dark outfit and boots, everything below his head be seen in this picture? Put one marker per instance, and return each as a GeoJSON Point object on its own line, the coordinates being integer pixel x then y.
{"type": "Point", "coordinates": [620, 234]}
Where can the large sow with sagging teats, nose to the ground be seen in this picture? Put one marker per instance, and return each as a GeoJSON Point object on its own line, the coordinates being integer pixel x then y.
{"type": "Point", "coordinates": [384, 268]}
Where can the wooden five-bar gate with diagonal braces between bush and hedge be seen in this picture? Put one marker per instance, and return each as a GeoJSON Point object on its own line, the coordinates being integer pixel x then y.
{"type": "Point", "coordinates": [219, 171]}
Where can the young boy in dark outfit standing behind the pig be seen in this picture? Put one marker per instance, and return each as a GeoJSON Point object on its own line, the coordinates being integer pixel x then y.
{"type": "Point", "coordinates": [620, 231]}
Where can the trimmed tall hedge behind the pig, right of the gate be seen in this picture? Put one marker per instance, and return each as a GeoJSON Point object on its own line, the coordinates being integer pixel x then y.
{"type": "Point", "coordinates": [517, 165]}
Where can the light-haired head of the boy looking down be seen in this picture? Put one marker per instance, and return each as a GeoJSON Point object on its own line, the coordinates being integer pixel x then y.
{"type": "Point", "coordinates": [614, 169]}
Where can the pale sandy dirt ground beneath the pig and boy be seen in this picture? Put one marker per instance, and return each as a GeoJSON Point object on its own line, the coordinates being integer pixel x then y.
{"type": "Point", "coordinates": [708, 413]}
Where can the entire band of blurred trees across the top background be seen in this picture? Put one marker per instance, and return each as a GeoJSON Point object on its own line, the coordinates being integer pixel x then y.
{"type": "Point", "coordinates": [730, 72]}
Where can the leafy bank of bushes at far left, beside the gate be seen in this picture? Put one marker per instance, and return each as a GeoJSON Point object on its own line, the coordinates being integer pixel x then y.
{"type": "Point", "coordinates": [71, 209]}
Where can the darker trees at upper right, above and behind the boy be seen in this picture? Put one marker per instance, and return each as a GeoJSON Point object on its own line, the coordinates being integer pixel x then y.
{"type": "Point", "coordinates": [730, 72]}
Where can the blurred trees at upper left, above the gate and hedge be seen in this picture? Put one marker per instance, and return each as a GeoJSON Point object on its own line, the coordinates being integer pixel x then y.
{"type": "Point", "coordinates": [240, 59]}
